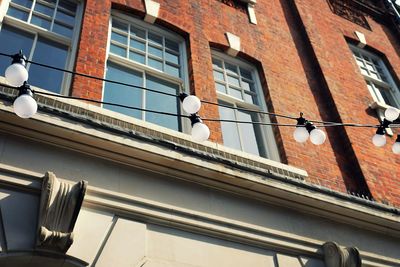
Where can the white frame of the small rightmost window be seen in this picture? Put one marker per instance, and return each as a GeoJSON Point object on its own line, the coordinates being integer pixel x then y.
{"type": "Point", "coordinates": [390, 85]}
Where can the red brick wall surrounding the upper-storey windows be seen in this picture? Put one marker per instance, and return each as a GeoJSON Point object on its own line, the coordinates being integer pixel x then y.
{"type": "Point", "coordinates": [291, 82]}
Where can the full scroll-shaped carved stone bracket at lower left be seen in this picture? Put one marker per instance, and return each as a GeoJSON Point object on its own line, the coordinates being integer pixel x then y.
{"type": "Point", "coordinates": [60, 204]}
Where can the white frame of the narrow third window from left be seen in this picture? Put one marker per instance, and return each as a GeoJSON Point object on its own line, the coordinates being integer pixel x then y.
{"type": "Point", "coordinates": [267, 134]}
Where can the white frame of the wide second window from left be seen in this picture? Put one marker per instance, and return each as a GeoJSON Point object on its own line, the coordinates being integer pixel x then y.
{"type": "Point", "coordinates": [183, 81]}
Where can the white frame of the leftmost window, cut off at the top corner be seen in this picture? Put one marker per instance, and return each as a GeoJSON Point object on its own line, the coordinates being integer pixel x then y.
{"type": "Point", "coordinates": [72, 42]}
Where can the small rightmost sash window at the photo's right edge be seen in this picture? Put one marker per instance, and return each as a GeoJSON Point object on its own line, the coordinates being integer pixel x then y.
{"type": "Point", "coordinates": [379, 82]}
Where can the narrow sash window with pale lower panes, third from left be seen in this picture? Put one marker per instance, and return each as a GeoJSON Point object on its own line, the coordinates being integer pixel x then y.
{"type": "Point", "coordinates": [238, 86]}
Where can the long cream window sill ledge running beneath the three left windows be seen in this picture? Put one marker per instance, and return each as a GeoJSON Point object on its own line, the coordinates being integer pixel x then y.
{"type": "Point", "coordinates": [102, 120]}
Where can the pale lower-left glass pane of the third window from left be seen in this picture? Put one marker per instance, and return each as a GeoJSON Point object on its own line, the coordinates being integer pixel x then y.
{"type": "Point", "coordinates": [229, 130]}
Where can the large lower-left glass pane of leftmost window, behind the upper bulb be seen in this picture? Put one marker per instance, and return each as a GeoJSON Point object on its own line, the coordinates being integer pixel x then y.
{"type": "Point", "coordinates": [16, 39]}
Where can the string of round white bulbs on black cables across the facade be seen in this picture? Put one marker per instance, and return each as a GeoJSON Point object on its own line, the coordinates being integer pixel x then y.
{"type": "Point", "coordinates": [25, 106]}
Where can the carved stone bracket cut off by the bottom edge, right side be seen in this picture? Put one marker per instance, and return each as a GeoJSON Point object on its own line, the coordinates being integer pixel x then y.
{"type": "Point", "coordinates": [336, 256]}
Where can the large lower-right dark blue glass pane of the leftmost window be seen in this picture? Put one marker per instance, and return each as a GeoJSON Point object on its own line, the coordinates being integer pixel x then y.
{"type": "Point", "coordinates": [53, 54]}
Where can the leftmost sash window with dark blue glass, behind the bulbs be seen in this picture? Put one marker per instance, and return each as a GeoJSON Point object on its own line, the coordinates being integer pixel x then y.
{"type": "Point", "coordinates": [45, 31]}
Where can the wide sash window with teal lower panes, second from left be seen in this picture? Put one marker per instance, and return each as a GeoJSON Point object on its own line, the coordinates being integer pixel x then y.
{"type": "Point", "coordinates": [147, 56]}
